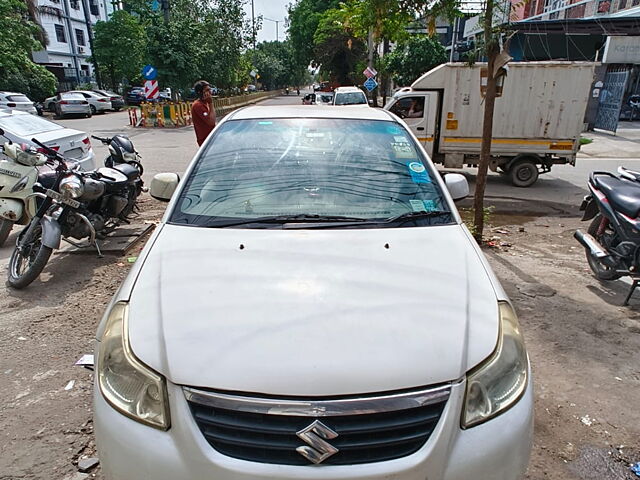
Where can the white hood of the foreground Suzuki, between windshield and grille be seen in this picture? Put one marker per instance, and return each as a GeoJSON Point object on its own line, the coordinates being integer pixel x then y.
{"type": "Point", "coordinates": [313, 312]}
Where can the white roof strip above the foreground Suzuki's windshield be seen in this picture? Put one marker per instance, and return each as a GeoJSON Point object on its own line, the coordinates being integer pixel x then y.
{"type": "Point", "coordinates": [310, 111]}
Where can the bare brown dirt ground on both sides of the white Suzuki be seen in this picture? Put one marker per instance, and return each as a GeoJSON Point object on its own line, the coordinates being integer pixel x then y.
{"type": "Point", "coordinates": [584, 348]}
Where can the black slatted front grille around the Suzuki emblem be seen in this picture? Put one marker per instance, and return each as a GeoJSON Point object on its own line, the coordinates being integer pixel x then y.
{"type": "Point", "coordinates": [271, 438]}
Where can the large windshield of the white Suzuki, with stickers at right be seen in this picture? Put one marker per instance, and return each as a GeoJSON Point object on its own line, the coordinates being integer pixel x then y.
{"type": "Point", "coordinates": [365, 172]}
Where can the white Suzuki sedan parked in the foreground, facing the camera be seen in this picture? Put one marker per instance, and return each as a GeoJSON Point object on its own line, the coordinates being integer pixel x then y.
{"type": "Point", "coordinates": [312, 307]}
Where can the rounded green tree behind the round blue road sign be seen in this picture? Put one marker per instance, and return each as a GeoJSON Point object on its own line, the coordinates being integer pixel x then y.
{"type": "Point", "coordinates": [123, 32]}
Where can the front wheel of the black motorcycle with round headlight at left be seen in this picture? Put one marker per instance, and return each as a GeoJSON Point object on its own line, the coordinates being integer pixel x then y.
{"type": "Point", "coordinates": [28, 261]}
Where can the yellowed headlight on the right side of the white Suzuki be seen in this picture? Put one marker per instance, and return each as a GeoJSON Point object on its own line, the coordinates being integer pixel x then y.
{"type": "Point", "coordinates": [498, 382]}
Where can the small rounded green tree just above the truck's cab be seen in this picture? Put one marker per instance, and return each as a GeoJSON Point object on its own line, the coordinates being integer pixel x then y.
{"type": "Point", "coordinates": [413, 57]}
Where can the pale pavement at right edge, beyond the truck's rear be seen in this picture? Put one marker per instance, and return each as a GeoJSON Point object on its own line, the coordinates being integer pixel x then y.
{"type": "Point", "coordinates": [624, 144]}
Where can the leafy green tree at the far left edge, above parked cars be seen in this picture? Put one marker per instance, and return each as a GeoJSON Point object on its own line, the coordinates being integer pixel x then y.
{"type": "Point", "coordinates": [18, 37]}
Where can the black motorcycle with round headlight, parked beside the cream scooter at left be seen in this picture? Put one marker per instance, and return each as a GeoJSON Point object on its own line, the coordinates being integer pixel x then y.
{"type": "Point", "coordinates": [72, 204]}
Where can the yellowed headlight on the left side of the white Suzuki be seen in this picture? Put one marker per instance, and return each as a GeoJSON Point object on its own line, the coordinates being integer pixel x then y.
{"type": "Point", "coordinates": [126, 383]}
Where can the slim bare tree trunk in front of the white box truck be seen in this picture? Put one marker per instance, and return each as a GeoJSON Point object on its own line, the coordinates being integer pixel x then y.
{"type": "Point", "coordinates": [492, 51]}
